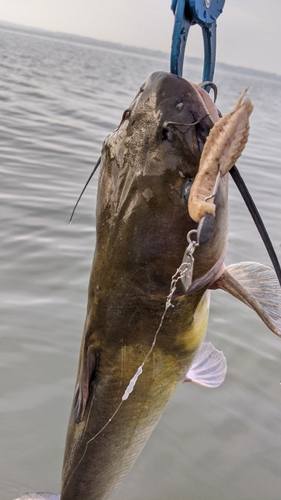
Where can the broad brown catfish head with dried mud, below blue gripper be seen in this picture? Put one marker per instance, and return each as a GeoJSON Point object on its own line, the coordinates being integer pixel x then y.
{"type": "Point", "coordinates": [148, 162]}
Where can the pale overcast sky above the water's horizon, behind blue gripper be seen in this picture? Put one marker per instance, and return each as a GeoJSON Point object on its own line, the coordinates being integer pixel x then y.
{"type": "Point", "coordinates": [248, 30]}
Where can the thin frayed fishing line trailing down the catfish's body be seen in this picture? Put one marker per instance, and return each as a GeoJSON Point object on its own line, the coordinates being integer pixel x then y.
{"type": "Point", "coordinates": [179, 274]}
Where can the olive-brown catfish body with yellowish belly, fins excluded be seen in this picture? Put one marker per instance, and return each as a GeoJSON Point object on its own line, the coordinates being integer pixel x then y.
{"type": "Point", "coordinates": [142, 223]}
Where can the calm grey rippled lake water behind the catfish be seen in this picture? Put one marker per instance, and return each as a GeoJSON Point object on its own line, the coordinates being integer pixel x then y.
{"type": "Point", "coordinates": [59, 99]}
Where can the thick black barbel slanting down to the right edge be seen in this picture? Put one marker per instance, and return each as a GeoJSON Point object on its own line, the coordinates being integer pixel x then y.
{"type": "Point", "coordinates": [236, 176]}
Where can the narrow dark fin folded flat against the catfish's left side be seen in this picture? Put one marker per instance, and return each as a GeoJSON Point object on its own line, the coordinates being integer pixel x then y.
{"type": "Point", "coordinates": [86, 376]}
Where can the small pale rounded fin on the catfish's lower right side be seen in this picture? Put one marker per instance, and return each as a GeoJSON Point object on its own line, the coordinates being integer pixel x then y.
{"type": "Point", "coordinates": [208, 367]}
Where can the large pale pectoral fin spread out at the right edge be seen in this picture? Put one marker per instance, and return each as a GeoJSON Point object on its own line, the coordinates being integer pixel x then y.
{"type": "Point", "coordinates": [257, 286]}
